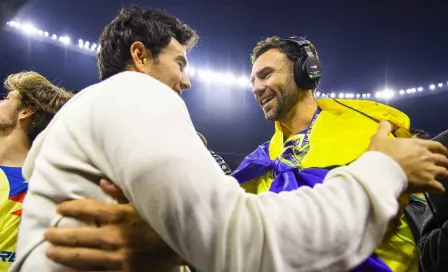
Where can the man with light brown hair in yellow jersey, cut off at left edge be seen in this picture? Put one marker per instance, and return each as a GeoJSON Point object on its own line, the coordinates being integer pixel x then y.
{"type": "Point", "coordinates": [27, 108]}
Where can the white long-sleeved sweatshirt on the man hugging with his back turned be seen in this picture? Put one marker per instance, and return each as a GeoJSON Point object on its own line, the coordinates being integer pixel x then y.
{"type": "Point", "coordinates": [137, 132]}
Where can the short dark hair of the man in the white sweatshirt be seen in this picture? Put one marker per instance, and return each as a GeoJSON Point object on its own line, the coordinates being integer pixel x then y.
{"type": "Point", "coordinates": [154, 28]}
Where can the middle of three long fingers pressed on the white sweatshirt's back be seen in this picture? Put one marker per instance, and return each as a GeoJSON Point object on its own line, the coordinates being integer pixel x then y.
{"type": "Point", "coordinates": [106, 237]}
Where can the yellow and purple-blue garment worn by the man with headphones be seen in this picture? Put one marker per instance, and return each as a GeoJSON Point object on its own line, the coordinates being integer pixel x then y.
{"type": "Point", "coordinates": [339, 136]}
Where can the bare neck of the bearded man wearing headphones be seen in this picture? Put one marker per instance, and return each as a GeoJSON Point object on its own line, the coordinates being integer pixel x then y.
{"type": "Point", "coordinates": [299, 117]}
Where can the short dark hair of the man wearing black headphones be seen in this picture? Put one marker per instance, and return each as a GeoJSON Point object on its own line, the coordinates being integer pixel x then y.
{"type": "Point", "coordinates": [290, 49]}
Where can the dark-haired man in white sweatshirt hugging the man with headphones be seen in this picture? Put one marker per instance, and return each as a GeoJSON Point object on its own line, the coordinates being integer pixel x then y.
{"type": "Point", "coordinates": [152, 152]}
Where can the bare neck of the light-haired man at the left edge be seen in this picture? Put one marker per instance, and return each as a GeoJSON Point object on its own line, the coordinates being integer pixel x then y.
{"type": "Point", "coordinates": [14, 148]}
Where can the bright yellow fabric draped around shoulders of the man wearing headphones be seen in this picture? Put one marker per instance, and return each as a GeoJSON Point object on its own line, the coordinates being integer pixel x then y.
{"type": "Point", "coordinates": [339, 135]}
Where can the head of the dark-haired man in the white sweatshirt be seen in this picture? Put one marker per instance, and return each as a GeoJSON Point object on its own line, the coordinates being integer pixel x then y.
{"type": "Point", "coordinates": [157, 47]}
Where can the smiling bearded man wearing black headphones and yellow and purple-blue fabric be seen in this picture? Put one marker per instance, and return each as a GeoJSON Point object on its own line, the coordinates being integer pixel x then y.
{"type": "Point", "coordinates": [313, 136]}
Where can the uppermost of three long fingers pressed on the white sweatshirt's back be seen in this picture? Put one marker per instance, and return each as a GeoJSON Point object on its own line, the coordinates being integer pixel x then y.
{"type": "Point", "coordinates": [88, 210]}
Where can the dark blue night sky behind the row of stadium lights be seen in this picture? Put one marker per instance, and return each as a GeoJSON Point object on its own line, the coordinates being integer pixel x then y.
{"type": "Point", "coordinates": [363, 46]}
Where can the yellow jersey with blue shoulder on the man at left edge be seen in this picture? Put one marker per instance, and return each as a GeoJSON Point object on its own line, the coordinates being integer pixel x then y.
{"type": "Point", "coordinates": [13, 188]}
